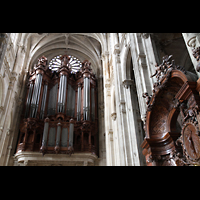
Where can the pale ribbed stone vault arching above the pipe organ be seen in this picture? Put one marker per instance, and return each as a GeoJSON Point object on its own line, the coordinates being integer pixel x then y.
{"type": "Point", "coordinates": [81, 45]}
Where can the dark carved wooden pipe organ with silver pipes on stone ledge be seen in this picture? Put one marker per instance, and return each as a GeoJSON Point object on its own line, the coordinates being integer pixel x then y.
{"type": "Point", "coordinates": [60, 111]}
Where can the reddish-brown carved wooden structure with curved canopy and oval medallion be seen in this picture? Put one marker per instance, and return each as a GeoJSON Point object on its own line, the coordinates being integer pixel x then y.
{"type": "Point", "coordinates": [172, 118]}
